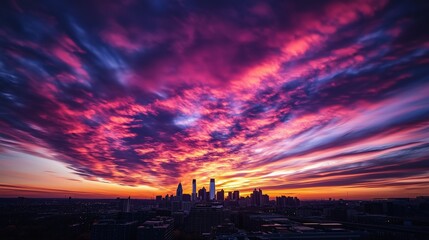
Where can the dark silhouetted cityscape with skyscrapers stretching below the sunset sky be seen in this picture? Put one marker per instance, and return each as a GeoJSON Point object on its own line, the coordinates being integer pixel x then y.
{"type": "Point", "coordinates": [215, 215]}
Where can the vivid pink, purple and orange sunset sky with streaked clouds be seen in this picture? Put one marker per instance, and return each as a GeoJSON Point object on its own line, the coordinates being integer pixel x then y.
{"type": "Point", "coordinates": [313, 99]}
